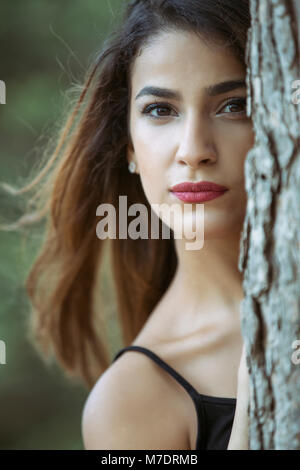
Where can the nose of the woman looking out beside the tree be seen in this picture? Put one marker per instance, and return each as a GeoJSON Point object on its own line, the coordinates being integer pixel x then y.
{"type": "Point", "coordinates": [196, 143]}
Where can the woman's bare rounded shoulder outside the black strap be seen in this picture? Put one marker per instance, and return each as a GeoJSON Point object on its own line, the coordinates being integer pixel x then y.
{"type": "Point", "coordinates": [132, 406]}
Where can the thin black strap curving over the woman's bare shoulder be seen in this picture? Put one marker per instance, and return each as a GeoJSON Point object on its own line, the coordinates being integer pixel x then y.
{"type": "Point", "coordinates": [196, 397]}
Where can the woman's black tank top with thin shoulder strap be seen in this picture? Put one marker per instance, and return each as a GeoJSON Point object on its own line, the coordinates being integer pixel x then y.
{"type": "Point", "coordinates": [214, 414]}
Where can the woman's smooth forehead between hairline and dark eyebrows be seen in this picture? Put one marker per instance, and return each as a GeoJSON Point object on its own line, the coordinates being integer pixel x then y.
{"type": "Point", "coordinates": [178, 58]}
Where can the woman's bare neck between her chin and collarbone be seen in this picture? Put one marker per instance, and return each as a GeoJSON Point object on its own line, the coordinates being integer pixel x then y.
{"type": "Point", "coordinates": [209, 275]}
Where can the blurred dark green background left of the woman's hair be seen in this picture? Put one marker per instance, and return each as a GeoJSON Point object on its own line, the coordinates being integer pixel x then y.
{"type": "Point", "coordinates": [46, 46]}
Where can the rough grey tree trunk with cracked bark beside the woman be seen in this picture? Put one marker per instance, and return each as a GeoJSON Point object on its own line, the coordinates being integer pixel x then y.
{"type": "Point", "coordinates": [269, 257]}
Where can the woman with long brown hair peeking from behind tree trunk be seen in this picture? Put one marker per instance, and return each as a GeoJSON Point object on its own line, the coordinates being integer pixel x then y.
{"type": "Point", "coordinates": [164, 104]}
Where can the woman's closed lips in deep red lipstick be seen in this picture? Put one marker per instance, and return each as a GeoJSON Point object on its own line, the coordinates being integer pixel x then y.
{"type": "Point", "coordinates": [198, 192]}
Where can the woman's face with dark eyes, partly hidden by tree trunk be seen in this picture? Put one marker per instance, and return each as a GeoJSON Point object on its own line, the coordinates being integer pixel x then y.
{"type": "Point", "coordinates": [188, 131]}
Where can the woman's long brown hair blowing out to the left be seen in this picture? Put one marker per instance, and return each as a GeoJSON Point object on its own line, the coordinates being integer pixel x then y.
{"type": "Point", "coordinates": [89, 167]}
